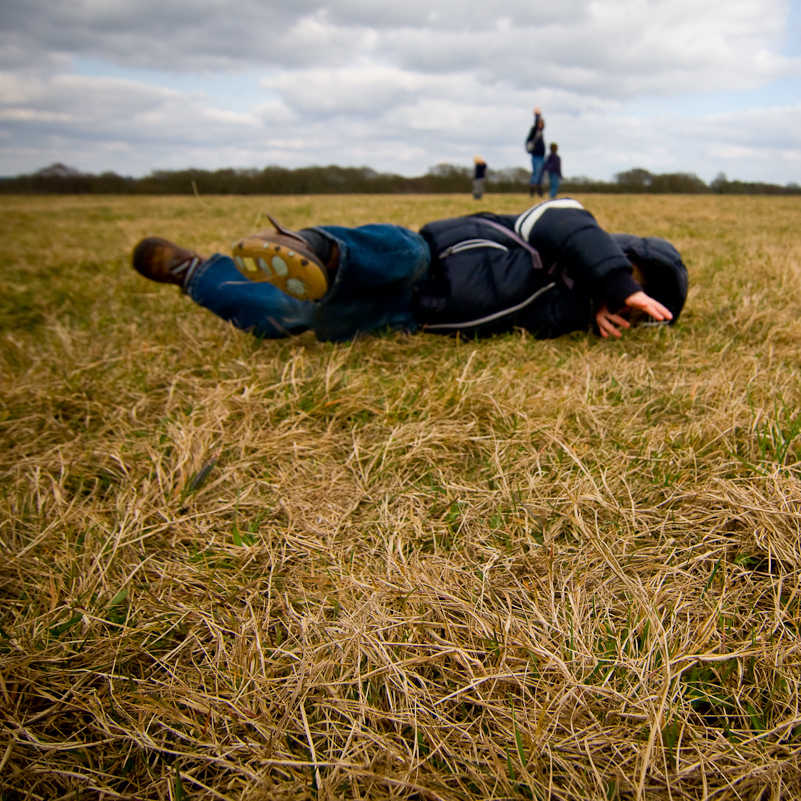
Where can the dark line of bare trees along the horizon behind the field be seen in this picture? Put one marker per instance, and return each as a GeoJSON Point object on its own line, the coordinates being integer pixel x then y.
{"type": "Point", "coordinates": [444, 178]}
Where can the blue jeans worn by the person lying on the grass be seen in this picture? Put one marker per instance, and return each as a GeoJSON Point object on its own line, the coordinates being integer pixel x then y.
{"type": "Point", "coordinates": [379, 266]}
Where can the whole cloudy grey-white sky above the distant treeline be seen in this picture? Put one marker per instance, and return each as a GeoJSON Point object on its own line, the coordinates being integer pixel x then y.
{"type": "Point", "coordinates": [703, 86]}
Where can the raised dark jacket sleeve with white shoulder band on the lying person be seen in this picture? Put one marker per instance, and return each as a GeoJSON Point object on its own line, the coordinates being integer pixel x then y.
{"type": "Point", "coordinates": [570, 241]}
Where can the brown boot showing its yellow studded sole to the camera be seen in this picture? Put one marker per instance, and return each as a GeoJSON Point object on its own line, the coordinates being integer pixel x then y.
{"type": "Point", "coordinates": [283, 258]}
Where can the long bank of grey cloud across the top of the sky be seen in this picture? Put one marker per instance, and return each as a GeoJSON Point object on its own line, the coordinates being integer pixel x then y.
{"type": "Point", "coordinates": [613, 48]}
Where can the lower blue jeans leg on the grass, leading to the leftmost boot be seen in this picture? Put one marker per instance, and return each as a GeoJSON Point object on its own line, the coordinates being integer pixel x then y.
{"type": "Point", "coordinates": [252, 306]}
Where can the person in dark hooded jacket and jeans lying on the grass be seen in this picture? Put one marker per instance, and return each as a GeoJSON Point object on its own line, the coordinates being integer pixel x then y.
{"type": "Point", "coordinates": [550, 270]}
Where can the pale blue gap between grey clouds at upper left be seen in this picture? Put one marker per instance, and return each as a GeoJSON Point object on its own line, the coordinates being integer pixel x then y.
{"type": "Point", "coordinates": [237, 92]}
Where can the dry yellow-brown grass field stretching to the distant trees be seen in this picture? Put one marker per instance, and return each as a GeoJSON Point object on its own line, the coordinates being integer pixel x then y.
{"type": "Point", "coordinates": [406, 567]}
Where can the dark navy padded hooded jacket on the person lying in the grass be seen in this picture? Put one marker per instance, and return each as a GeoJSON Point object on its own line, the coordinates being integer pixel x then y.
{"type": "Point", "coordinates": [484, 281]}
